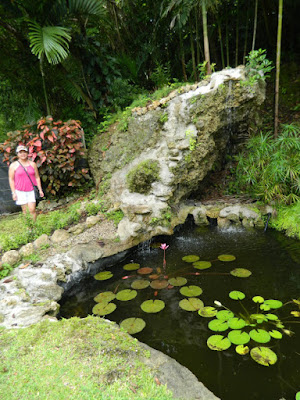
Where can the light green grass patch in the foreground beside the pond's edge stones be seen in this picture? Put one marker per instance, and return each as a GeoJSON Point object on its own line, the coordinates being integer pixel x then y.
{"type": "Point", "coordinates": [82, 359]}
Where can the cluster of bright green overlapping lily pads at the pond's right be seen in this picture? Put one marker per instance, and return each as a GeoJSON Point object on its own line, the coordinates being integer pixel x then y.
{"type": "Point", "coordinates": [244, 328]}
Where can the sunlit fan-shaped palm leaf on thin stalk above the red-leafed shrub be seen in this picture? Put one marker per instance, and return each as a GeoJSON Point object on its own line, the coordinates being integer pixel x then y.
{"type": "Point", "coordinates": [49, 41]}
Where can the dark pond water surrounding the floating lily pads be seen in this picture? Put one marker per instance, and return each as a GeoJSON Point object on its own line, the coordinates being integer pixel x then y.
{"type": "Point", "coordinates": [275, 264]}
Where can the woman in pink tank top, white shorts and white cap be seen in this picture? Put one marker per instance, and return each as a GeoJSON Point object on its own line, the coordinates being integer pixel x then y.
{"type": "Point", "coordinates": [20, 184]}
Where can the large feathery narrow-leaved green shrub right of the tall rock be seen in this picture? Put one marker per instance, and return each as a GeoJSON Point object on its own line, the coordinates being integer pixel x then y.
{"type": "Point", "coordinates": [269, 169]}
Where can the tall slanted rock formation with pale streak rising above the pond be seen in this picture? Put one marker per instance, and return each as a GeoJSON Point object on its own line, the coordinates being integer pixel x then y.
{"type": "Point", "coordinates": [187, 134]}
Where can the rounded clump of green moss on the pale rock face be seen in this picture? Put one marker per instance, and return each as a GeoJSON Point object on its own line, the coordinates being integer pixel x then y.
{"type": "Point", "coordinates": [140, 178]}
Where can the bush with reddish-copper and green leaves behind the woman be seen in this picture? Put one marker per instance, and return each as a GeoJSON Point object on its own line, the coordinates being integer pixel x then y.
{"type": "Point", "coordinates": [56, 147]}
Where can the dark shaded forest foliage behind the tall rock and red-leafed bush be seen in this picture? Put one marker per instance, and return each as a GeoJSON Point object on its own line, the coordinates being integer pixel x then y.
{"type": "Point", "coordinates": [117, 46]}
